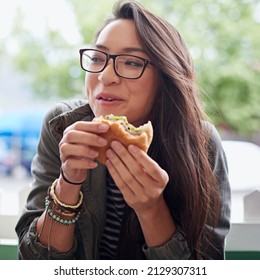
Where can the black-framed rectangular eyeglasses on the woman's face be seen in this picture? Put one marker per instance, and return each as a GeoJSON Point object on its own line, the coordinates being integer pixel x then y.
{"type": "Point", "coordinates": [125, 66]}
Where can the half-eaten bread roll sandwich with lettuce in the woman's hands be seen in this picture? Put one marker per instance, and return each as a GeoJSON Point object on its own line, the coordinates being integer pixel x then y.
{"type": "Point", "coordinates": [121, 130]}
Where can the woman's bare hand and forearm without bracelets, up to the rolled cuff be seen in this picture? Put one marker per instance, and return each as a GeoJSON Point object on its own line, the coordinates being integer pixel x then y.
{"type": "Point", "coordinates": [142, 182]}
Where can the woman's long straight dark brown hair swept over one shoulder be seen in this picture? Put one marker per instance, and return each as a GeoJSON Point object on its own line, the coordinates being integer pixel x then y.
{"type": "Point", "coordinates": [181, 141]}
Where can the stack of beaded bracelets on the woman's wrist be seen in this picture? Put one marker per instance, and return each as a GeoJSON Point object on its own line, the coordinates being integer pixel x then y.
{"type": "Point", "coordinates": [58, 210]}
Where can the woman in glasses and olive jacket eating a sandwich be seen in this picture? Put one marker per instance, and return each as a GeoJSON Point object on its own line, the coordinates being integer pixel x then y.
{"type": "Point", "coordinates": [172, 203]}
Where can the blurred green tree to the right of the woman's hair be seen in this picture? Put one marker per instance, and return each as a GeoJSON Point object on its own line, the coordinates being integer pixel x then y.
{"type": "Point", "coordinates": [222, 38]}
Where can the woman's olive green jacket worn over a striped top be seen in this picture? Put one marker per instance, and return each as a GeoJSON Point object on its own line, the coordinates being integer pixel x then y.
{"type": "Point", "coordinates": [46, 168]}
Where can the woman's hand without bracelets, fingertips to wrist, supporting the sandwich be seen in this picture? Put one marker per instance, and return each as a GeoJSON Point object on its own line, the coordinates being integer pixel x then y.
{"type": "Point", "coordinates": [140, 179]}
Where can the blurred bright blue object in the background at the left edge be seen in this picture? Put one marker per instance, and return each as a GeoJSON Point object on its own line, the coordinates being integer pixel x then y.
{"type": "Point", "coordinates": [19, 134]}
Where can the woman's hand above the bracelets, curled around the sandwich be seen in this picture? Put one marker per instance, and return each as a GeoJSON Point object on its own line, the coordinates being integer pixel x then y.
{"type": "Point", "coordinates": [77, 149]}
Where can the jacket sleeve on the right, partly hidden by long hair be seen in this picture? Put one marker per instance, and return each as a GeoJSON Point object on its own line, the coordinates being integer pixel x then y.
{"type": "Point", "coordinates": [177, 248]}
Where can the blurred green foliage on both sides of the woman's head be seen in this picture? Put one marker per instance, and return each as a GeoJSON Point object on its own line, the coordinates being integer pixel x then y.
{"type": "Point", "coordinates": [222, 35]}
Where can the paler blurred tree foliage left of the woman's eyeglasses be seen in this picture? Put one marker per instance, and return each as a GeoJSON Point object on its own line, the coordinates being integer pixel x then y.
{"type": "Point", "coordinates": [49, 62]}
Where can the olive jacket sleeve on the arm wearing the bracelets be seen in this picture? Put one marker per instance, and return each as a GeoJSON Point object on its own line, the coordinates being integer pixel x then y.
{"type": "Point", "coordinates": [45, 169]}
